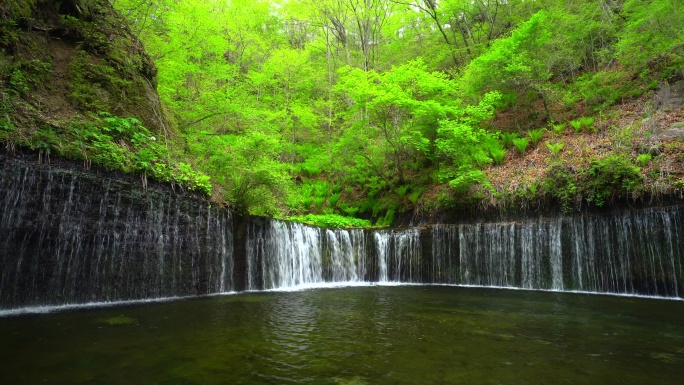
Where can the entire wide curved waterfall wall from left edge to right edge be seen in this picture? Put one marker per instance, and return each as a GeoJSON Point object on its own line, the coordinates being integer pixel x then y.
{"type": "Point", "coordinates": [70, 237]}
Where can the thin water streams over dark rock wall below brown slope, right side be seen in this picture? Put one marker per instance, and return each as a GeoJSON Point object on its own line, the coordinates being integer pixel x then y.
{"type": "Point", "coordinates": [634, 252]}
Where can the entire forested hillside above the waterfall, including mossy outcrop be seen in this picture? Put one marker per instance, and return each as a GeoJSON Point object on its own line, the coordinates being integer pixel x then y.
{"type": "Point", "coordinates": [349, 112]}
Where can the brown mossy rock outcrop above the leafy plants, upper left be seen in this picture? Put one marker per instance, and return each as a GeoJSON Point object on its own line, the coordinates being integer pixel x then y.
{"type": "Point", "coordinates": [63, 61]}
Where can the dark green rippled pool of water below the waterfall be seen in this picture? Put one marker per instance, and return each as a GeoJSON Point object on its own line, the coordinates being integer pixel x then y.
{"type": "Point", "coordinates": [354, 335]}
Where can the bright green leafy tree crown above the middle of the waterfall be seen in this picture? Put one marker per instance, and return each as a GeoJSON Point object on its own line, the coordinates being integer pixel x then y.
{"type": "Point", "coordinates": [397, 112]}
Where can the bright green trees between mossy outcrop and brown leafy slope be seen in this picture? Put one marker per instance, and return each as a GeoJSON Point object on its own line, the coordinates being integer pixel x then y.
{"type": "Point", "coordinates": [266, 107]}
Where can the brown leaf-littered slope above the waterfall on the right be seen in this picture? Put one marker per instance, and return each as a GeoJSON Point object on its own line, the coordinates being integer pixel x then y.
{"type": "Point", "coordinates": [652, 124]}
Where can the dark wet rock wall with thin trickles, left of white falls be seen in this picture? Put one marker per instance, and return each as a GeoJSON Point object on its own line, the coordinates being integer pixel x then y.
{"type": "Point", "coordinates": [69, 236]}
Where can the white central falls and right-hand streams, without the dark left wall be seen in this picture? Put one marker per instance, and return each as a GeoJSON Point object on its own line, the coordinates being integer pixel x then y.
{"type": "Point", "coordinates": [633, 252]}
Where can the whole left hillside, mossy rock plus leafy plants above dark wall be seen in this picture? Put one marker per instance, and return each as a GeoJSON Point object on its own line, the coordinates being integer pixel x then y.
{"type": "Point", "coordinates": [76, 82]}
